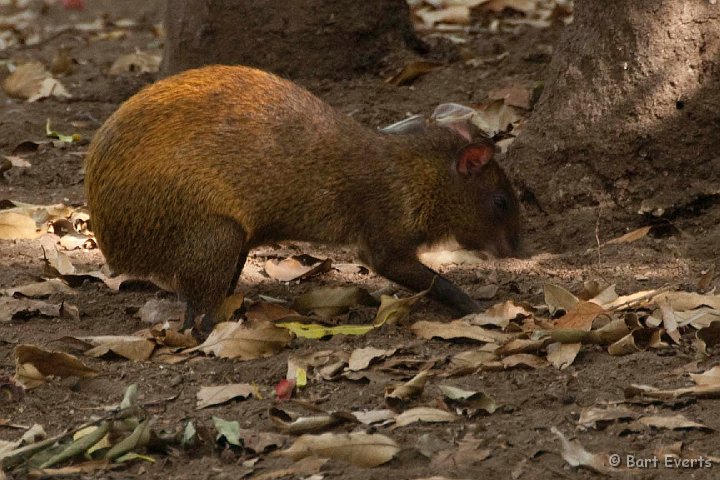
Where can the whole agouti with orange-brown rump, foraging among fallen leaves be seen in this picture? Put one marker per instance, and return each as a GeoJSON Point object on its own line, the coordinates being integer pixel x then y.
{"type": "Point", "coordinates": [197, 169]}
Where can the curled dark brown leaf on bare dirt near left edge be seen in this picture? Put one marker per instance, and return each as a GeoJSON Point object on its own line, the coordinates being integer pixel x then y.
{"type": "Point", "coordinates": [33, 365]}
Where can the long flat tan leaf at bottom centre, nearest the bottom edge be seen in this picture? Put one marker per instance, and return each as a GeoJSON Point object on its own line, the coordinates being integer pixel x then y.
{"type": "Point", "coordinates": [360, 449]}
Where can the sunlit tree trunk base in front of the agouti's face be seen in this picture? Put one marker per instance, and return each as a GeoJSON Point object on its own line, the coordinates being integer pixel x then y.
{"type": "Point", "coordinates": [630, 113]}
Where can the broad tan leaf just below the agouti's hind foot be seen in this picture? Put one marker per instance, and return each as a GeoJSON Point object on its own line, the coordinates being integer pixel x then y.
{"type": "Point", "coordinates": [235, 340]}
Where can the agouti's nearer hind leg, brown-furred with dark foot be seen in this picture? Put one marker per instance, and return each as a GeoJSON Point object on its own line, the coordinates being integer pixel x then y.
{"type": "Point", "coordinates": [207, 267]}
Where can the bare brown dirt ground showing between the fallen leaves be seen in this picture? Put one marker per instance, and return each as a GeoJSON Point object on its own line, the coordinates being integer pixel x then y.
{"type": "Point", "coordinates": [561, 249]}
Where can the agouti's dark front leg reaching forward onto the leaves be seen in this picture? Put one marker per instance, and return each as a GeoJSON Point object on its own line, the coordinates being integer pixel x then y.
{"type": "Point", "coordinates": [406, 270]}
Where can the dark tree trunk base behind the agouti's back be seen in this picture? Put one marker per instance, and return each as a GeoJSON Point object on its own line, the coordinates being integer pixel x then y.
{"type": "Point", "coordinates": [295, 38]}
